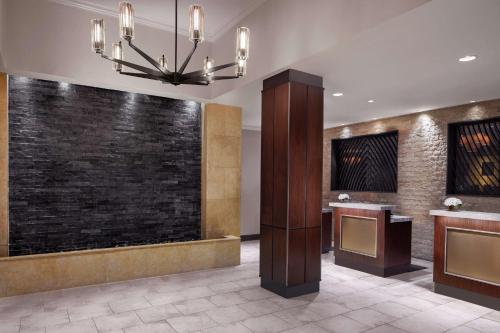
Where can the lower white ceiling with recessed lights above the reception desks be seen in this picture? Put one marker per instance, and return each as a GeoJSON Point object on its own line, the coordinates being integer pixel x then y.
{"type": "Point", "coordinates": [408, 64]}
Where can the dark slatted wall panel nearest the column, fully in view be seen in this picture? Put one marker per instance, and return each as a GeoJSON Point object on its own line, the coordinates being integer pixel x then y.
{"type": "Point", "coordinates": [365, 163]}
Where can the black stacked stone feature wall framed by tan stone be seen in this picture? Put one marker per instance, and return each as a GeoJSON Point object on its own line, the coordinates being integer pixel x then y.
{"type": "Point", "coordinates": [96, 168]}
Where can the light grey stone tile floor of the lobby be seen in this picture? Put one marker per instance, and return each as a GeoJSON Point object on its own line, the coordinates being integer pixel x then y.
{"type": "Point", "coordinates": [230, 300]}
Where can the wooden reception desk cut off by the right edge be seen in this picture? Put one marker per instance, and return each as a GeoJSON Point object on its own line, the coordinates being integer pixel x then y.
{"type": "Point", "coordinates": [467, 256]}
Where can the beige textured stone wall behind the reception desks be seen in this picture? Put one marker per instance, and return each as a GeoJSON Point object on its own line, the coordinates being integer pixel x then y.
{"type": "Point", "coordinates": [422, 156]}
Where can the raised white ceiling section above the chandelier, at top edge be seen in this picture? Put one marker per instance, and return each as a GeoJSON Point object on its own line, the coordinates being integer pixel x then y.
{"type": "Point", "coordinates": [220, 15]}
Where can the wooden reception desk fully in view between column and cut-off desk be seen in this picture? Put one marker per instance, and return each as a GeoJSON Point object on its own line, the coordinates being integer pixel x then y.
{"type": "Point", "coordinates": [368, 238]}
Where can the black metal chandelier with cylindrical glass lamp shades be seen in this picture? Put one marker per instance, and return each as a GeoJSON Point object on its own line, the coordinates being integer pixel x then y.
{"type": "Point", "coordinates": [161, 72]}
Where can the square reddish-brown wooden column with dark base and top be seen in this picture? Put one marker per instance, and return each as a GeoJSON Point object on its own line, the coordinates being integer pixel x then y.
{"type": "Point", "coordinates": [291, 180]}
